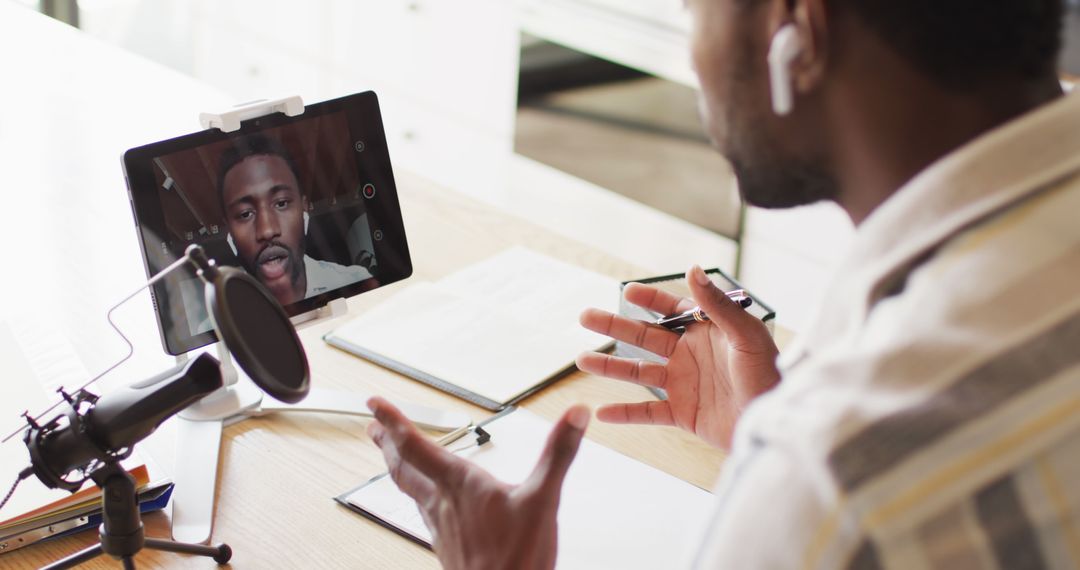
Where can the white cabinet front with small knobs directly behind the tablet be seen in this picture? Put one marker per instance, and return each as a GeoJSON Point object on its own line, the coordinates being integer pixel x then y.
{"type": "Point", "coordinates": [447, 72]}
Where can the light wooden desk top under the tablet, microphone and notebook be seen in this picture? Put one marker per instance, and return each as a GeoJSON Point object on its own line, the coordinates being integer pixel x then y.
{"type": "Point", "coordinates": [66, 115]}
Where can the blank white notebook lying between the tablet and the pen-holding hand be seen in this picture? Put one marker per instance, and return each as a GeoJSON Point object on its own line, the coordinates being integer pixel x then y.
{"type": "Point", "coordinates": [492, 333]}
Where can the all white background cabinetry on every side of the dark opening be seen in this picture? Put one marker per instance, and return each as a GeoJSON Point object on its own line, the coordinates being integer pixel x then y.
{"type": "Point", "coordinates": [447, 73]}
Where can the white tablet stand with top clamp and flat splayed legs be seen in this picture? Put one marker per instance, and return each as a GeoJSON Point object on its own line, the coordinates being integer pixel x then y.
{"type": "Point", "coordinates": [199, 435]}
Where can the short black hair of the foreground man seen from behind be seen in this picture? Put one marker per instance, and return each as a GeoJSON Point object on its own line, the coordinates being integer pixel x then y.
{"type": "Point", "coordinates": [963, 44]}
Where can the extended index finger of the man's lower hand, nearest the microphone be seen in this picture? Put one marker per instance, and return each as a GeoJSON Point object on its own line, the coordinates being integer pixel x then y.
{"type": "Point", "coordinates": [410, 444]}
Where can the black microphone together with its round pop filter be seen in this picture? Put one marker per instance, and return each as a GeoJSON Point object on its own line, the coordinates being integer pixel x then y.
{"type": "Point", "coordinates": [96, 431]}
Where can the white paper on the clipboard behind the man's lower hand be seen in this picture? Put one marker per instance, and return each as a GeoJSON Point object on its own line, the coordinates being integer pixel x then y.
{"type": "Point", "coordinates": [615, 512]}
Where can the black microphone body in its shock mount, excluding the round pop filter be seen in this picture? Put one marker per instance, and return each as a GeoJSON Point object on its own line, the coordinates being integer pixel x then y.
{"type": "Point", "coordinates": [99, 430]}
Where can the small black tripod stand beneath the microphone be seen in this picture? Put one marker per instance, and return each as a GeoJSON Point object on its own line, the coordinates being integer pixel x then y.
{"type": "Point", "coordinates": [121, 533]}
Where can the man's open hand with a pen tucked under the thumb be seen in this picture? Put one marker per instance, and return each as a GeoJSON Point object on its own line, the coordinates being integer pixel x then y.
{"type": "Point", "coordinates": [713, 371]}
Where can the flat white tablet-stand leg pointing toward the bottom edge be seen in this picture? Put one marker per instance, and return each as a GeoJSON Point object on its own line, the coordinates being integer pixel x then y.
{"type": "Point", "coordinates": [198, 444]}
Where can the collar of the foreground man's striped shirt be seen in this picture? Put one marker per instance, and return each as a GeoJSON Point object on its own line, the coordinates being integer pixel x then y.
{"type": "Point", "coordinates": [985, 177]}
